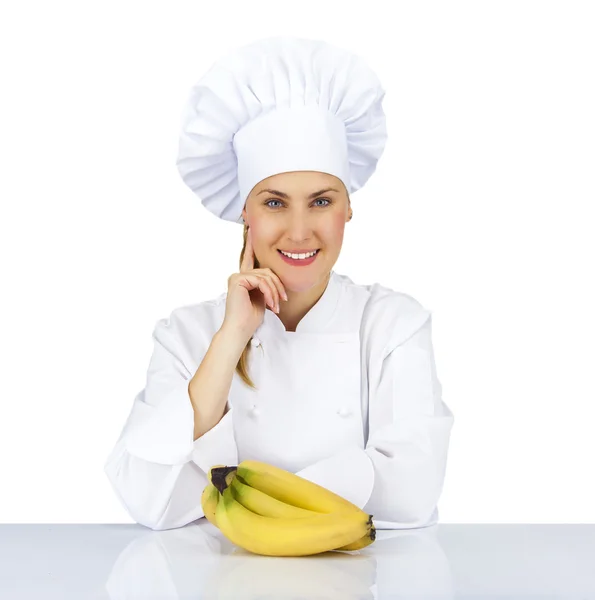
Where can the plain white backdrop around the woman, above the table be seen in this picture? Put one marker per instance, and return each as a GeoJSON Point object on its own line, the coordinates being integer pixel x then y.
{"type": "Point", "coordinates": [480, 208]}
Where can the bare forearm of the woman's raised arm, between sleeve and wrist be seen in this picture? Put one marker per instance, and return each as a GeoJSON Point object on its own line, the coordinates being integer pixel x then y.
{"type": "Point", "coordinates": [209, 388]}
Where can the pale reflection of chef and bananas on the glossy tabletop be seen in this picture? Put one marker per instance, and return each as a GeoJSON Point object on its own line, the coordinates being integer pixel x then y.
{"type": "Point", "coordinates": [197, 561]}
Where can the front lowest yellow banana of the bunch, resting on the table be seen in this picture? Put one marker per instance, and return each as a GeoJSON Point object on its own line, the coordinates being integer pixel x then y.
{"type": "Point", "coordinates": [288, 537]}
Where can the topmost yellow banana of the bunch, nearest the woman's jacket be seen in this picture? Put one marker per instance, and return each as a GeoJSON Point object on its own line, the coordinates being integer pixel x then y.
{"type": "Point", "coordinates": [292, 489]}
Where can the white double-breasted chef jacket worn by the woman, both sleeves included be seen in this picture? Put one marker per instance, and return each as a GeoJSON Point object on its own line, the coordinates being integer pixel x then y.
{"type": "Point", "coordinates": [350, 400]}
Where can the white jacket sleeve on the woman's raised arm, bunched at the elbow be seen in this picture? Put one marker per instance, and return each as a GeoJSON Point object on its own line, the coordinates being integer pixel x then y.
{"type": "Point", "coordinates": [156, 469]}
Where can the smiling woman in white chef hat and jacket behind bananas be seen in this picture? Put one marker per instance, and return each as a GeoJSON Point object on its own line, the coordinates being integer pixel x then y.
{"type": "Point", "coordinates": [295, 365]}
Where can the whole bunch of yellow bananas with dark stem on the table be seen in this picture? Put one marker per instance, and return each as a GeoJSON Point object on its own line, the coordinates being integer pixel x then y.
{"type": "Point", "coordinates": [271, 511]}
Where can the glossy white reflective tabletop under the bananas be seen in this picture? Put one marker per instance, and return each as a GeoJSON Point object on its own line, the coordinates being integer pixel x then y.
{"type": "Point", "coordinates": [60, 562]}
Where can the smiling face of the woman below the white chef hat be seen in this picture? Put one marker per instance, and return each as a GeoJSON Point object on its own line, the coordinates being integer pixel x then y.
{"type": "Point", "coordinates": [298, 222]}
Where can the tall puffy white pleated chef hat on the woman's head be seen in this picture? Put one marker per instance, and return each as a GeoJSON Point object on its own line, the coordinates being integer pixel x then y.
{"type": "Point", "coordinates": [276, 105]}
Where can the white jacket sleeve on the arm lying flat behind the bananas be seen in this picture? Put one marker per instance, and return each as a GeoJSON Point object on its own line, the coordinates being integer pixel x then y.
{"type": "Point", "coordinates": [399, 475]}
